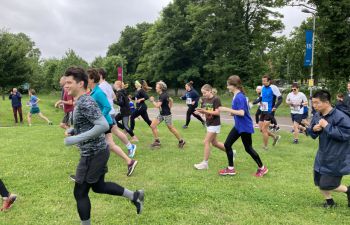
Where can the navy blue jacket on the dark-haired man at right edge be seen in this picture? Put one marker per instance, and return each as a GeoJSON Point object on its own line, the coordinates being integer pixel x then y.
{"type": "Point", "coordinates": [333, 155]}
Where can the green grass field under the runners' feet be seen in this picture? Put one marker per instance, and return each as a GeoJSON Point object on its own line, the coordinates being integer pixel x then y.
{"type": "Point", "coordinates": [35, 164]}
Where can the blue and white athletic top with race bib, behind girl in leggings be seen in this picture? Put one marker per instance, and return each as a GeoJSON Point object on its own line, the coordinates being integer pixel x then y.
{"type": "Point", "coordinates": [267, 97]}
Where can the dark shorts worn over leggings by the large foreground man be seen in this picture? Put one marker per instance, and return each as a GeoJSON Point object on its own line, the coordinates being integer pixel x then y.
{"type": "Point", "coordinates": [91, 168]}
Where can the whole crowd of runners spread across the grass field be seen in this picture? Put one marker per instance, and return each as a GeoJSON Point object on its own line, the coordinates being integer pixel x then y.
{"type": "Point", "coordinates": [90, 120]}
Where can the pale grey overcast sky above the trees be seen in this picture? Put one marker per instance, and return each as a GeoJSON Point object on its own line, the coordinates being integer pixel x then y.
{"type": "Point", "coordinates": [88, 26]}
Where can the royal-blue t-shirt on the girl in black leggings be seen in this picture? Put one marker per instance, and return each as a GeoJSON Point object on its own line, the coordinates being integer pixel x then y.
{"type": "Point", "coordinates": [243, 124]}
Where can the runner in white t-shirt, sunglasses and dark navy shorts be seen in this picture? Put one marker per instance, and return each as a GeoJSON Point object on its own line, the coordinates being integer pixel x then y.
{"type": "Point", "coordinates": [297, 101]}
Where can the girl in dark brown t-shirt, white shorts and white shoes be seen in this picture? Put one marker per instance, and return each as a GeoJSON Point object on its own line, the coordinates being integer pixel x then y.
{"type": "Point", "coordinates": [210, 108]}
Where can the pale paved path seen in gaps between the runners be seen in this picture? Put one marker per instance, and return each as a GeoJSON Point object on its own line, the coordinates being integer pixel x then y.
{"type": "Point", "coordinates": [179, 113]}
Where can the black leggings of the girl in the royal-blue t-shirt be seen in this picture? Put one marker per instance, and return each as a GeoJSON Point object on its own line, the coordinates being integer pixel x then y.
{"type": "Point", "coordinates": [247, 142]}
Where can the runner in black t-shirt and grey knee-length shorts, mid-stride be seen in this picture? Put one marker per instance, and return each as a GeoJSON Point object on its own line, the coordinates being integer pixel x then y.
{"type": "Point", "coordinates": [164, 104]}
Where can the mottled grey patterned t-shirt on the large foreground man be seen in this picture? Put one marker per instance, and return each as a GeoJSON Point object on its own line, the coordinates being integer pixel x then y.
{"type": "Point", "coordinates": [85, 113]}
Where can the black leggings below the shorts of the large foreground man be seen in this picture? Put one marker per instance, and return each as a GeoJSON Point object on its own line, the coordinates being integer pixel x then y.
{"type": "Point", "coordinates": [81, 194]}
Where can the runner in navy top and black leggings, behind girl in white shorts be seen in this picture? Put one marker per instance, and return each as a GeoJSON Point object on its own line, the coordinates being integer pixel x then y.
{"type": "Point", "coordinates": [192, 98]}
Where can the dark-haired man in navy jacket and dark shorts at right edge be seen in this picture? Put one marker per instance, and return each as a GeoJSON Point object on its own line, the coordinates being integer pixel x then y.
{"type": "Point", "coordinates": [332, 161]}
